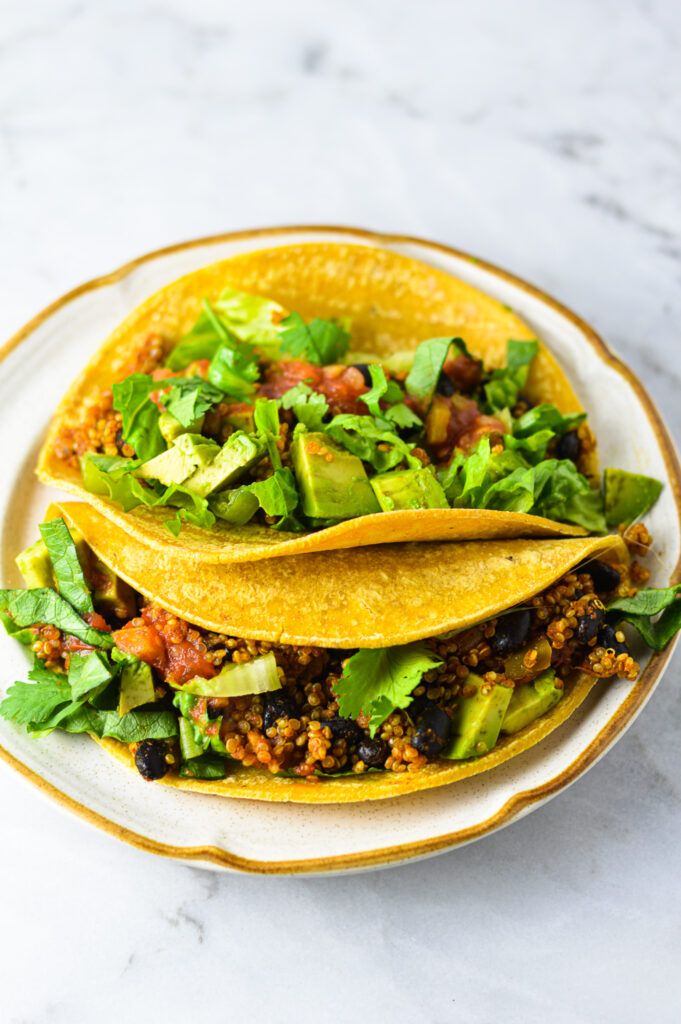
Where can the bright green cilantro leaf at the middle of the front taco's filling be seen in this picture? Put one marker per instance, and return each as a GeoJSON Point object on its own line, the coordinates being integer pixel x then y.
{"type": "Point", "coordinates": [377, 681]}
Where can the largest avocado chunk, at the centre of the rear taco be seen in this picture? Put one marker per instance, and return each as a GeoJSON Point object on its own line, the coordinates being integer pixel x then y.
{"type": "Point", "coordinates": [333, 484]}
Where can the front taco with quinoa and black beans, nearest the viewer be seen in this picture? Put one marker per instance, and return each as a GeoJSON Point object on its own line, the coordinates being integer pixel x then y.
{"type": "Point", "coordinates": [203, 681]}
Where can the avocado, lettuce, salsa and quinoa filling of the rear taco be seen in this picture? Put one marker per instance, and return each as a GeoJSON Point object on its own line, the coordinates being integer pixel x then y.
{"type": "Point", "coordinates": [260, 417]}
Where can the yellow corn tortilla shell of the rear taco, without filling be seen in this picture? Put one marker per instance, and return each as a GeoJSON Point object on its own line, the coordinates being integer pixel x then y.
{"type": "Point", "coordinates": [395, 304]}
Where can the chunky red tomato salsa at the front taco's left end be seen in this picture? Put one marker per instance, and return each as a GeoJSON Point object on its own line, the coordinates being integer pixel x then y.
{"type": "Point", "coordinates": [167, 644]}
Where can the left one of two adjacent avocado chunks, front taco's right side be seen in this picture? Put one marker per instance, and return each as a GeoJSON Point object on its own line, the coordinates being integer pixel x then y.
{"type": "Point", "coordinates": [478, 718]}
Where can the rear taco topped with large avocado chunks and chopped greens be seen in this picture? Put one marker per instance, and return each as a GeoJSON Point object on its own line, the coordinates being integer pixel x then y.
{"type": "Point", "coordinates": [320, 397]}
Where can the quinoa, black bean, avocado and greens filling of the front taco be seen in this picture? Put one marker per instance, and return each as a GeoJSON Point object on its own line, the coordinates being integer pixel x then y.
{"type": "Point", "coordinates": [195, 704]}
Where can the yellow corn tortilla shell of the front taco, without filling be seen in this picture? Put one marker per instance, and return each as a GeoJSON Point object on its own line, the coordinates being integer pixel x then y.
{"type": "Point", "coordinates": [390, 595]}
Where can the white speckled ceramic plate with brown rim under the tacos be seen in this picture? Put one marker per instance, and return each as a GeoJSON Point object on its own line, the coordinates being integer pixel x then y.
{"type": "Point", "coordinates": [41, 361]}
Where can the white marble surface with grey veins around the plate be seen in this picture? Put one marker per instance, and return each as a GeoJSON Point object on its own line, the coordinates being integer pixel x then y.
{"type": "Point", "coordinates": [542, 137]}
